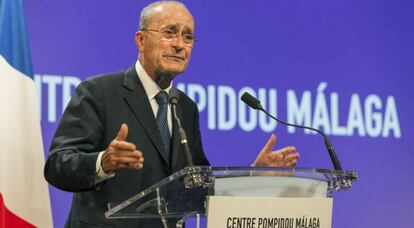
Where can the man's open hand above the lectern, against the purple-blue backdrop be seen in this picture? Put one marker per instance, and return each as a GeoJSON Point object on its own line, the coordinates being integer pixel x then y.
{"type": "Point", "coordinates": [285, 157]}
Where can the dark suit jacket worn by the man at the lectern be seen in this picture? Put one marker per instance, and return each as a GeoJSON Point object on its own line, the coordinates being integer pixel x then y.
{"type": "Point", "coordinates": [90, 122]}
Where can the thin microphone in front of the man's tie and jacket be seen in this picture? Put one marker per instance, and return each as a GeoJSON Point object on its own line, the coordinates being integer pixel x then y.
{"type": "Point", "coordinates": [174, 98]}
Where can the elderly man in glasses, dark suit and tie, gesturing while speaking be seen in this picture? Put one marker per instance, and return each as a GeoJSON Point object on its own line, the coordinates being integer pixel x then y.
{"type": "Point", "coordinates": [117, 136]}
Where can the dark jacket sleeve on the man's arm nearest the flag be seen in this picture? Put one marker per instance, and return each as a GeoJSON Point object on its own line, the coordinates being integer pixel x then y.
{"type": "Point", "coordinates": [71, 162]}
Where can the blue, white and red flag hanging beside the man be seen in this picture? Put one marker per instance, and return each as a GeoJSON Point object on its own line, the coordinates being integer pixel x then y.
{"type": "Point", "coordinates": [24, 194]}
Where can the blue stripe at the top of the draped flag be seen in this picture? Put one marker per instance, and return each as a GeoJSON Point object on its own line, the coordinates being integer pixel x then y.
{"type": "Point", "coordinates": [14, 43]}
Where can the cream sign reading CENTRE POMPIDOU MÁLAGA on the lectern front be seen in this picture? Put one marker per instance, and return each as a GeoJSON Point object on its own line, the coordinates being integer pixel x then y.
{"type": "Point", "coordinates": [268, 212]}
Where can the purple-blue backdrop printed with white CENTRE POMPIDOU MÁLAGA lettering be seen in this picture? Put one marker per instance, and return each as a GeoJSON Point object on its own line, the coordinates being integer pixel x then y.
{"type": "Point", "coordinates": [345, 67]}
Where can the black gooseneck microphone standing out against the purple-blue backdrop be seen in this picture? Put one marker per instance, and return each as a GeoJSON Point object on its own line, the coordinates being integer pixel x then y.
{"type": "Point", "coordinates": [255, 104]}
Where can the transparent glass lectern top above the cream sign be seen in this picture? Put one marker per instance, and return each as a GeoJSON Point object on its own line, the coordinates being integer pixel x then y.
{"type": "Point", "coordinates": [184, 194]}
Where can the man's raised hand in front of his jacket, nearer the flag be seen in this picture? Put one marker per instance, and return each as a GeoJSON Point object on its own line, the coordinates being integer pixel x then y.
{"type": "Point", "coordinates": [121, 154]}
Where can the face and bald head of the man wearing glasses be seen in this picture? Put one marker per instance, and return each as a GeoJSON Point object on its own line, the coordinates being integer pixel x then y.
{"type": "Point", "coordinates": [160, 53]}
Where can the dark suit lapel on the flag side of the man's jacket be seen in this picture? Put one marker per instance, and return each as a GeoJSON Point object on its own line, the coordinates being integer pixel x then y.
{"type": "Point", "coordinates": [137, 100]}
